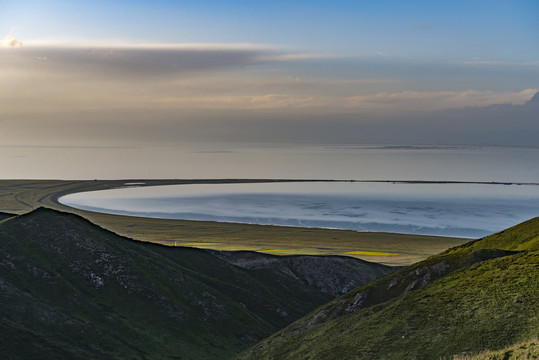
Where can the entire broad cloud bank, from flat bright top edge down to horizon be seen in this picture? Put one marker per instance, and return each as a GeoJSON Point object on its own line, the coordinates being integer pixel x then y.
{"type": "Point", "coordinates": [239, 92]}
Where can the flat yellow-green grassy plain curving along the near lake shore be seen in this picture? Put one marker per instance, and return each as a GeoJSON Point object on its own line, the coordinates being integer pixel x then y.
{"type": "Point", "coordinates": [20, 196]}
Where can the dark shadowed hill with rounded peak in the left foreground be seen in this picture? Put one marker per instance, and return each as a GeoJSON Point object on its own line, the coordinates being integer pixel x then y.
{"type": "Point", "coordinates": [72, 290]}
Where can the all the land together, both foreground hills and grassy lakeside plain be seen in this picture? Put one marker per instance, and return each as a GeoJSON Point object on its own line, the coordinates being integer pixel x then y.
{"type": "Point", "coordinates": [78, 285]}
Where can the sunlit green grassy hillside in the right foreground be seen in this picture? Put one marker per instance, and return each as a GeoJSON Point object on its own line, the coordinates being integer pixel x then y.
{"type": "Point", "coordinates": [482, 295]}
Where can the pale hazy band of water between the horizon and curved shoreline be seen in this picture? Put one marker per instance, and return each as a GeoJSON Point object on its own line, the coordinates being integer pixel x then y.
{"type": "Point", "coordinates": [273, 161]}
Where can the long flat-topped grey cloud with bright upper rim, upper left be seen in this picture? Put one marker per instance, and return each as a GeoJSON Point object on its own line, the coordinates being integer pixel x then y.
{"type": "Point", "coordinates": [130, 61]}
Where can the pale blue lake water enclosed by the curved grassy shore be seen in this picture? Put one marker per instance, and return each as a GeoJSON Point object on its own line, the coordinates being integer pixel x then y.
{"type": "Point", "coordinates": [463, 210]}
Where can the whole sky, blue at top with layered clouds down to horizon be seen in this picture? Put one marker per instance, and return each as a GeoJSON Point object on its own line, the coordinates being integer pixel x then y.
{"type": "Point", "coordinates": [121, 74]}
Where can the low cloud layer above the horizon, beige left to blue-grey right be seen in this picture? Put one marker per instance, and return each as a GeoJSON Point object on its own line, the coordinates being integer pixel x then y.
{"type": "Point", "coordinates": [213, 120]}
